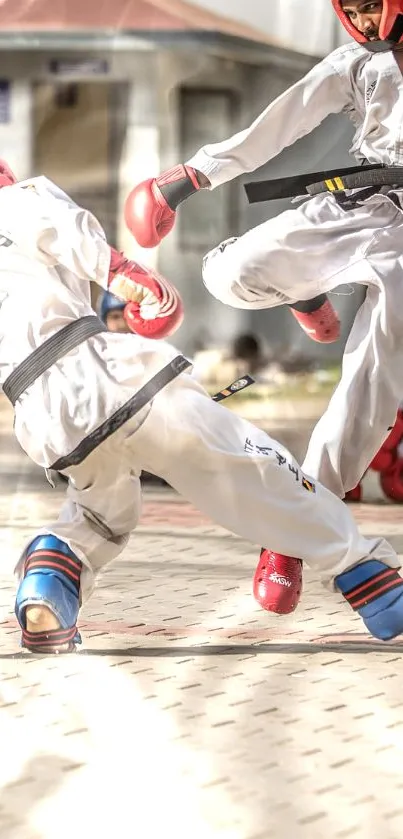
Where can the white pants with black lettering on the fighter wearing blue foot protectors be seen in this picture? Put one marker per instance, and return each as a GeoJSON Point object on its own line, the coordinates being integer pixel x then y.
{"type": "Point", "coordinates": [233, 472]}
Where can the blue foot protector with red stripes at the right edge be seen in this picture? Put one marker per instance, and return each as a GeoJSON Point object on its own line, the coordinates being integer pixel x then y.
{"type": "Point", "coordinates": [375, 591]}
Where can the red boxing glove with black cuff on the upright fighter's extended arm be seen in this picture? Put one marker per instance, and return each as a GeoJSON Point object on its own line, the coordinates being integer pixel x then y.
{"type": "Point", "coordinates": [150, 207]}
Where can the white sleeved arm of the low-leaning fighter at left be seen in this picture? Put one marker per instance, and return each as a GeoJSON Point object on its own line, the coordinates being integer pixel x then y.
{"type": "Point", "coordinates": [55, 232]}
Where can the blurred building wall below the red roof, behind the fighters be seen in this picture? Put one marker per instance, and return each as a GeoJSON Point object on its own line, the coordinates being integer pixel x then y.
{"type": "Point", "coordinates": [98, 122]}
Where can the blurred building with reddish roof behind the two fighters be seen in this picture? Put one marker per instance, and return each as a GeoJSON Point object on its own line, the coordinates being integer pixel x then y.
{"type": "Point", "coordinates": [100, 94]}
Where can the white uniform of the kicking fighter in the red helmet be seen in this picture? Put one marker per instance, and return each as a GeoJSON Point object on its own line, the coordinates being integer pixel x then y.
{"type": "Point", "coordinates": [321, 244]}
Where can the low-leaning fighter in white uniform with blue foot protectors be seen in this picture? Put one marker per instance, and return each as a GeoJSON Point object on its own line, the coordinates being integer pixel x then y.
{"type": "Point", "coordinates": [88, 413]}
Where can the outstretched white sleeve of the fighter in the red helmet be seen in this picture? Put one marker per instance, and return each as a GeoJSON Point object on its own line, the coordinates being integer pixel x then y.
{"type": "Point", "coordinates": [300, 109]}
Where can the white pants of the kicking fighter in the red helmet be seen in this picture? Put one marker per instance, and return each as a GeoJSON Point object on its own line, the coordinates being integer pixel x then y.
{"type": "Point", "coordinates": [310, 250]}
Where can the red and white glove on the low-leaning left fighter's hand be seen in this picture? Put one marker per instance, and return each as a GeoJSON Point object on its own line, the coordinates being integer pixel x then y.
{"type": "Point", "coordinates": [154, 308]}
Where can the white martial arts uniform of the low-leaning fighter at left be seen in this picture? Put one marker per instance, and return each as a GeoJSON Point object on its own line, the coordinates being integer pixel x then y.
{"type": "Point", "coordinates": [228, 468]}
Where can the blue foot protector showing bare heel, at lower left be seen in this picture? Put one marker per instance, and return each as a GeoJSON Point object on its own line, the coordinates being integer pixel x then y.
{"type": "Point", "coordinates": [51, 578]}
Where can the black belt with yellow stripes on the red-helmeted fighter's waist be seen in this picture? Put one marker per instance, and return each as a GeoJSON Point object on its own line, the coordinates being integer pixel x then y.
{"type": "Point", "coordinates": [332, 180]}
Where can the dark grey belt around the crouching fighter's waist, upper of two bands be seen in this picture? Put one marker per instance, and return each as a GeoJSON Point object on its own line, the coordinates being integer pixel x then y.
{"type": "Point", "coordinates": [53, 349]}
